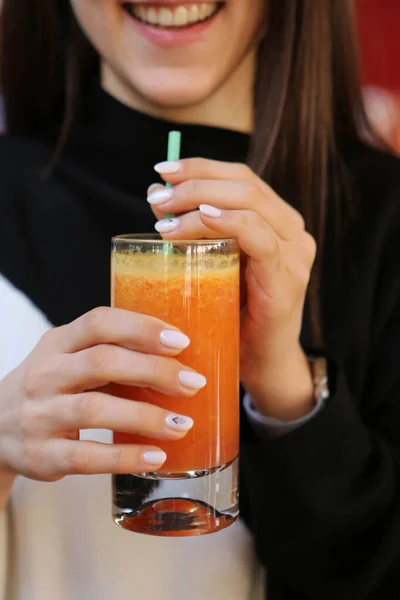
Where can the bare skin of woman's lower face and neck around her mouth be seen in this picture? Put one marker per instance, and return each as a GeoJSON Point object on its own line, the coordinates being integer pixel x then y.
{"type": "Point", "coordinates": [183, 84]}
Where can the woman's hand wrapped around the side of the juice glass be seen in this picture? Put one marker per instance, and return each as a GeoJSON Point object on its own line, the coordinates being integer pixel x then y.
{"type": "Point", "coordinates": [62, 387]}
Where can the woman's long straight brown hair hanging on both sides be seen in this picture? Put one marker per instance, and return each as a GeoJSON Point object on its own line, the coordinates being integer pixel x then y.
{"type": "Point", "coordinates": [307, 93]}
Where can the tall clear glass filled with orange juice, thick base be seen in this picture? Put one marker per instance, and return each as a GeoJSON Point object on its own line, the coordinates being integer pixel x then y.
{"type": "Point", "coordinates": [193, 285]}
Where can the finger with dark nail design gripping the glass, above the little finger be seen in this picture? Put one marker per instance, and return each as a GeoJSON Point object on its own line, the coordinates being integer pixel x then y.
{"type": "Point", "coordinates": [96, 410]}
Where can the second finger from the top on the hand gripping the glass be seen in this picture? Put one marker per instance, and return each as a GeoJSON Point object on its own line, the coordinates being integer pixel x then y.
{"type": "Point", "coordinates": [100, 365]}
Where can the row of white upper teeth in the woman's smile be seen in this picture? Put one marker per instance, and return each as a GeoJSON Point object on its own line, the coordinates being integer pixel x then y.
{"type": "Point", "coordinates": [173, 17]}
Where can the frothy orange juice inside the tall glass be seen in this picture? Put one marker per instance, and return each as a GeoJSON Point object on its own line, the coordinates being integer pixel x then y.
{"type": "Point", "coordinates": [199, 295]}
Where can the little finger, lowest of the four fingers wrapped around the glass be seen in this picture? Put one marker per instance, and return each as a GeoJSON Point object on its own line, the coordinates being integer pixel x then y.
{"type": "Point", "coordinates": [68, 457]}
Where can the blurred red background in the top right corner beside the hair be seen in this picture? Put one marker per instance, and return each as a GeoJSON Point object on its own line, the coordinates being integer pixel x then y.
{"type": "Point", "coordinates": [379, 35]}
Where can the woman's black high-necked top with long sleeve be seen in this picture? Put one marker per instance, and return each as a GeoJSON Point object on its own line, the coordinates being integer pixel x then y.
{"type": "Point", "coordinates": [322, 502]}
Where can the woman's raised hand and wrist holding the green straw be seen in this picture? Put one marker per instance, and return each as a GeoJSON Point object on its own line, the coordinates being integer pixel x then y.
{"type": "Point", "coordinates": [216, 199]}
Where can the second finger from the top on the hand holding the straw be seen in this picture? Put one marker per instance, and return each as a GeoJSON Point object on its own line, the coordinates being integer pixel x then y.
{"type": "Point", "coordinates": [227, 195]}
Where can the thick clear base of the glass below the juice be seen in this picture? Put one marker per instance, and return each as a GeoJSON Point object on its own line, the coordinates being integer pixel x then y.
{"type": "Point", "coordinates": [177, 504]}
